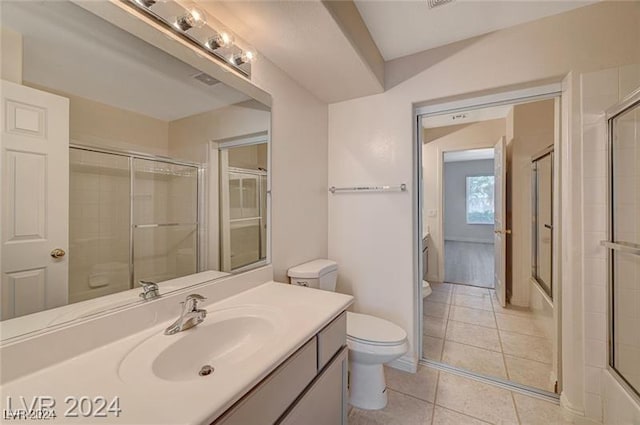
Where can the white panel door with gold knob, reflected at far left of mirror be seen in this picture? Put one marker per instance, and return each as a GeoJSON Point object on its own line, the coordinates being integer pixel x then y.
{"type": "Point", "coordinates": [34, 162]}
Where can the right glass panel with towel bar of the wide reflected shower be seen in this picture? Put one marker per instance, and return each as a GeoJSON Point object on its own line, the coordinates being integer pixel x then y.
{"type": "Point", "coordinates": [165, 220]}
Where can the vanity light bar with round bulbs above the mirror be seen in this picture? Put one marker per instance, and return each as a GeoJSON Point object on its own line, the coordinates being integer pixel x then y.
{"type": "Point", "coordinates": [211, 38]}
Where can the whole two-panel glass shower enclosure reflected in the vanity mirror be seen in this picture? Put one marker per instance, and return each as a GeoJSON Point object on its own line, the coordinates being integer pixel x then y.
{"type": "Point", "coordinates": [132, 218]}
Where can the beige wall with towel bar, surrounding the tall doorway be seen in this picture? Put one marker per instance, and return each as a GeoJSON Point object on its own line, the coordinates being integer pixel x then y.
{"type": "Point", "coordinates": [370, 141]}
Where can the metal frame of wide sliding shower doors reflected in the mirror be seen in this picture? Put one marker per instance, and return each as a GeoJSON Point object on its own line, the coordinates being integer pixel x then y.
{"type": "Point", "coordinates": [131, 156]}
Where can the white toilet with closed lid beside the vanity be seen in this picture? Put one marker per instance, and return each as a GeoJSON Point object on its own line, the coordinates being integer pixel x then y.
{"type": "Point", "coordinates": [372, 341]}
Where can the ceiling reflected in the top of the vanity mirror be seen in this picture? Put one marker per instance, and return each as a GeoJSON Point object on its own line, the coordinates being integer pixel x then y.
{"type": "Point", "coordinates": [73, 51]}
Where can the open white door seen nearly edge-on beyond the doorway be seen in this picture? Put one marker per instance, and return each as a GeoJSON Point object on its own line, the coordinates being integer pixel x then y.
{"type": "Point", "coordinates": [500, 230]}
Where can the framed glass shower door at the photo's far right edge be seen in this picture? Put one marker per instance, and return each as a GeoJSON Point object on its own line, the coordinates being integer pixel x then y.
{"type": "Point", "coordinates": [623, 243]}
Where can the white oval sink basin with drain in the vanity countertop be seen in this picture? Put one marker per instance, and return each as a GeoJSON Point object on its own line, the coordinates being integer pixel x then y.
{"type": "Point", "coordinates": [225, 339]}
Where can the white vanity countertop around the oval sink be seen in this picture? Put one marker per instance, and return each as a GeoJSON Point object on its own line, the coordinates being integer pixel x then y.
{"type": "Point", "coordinates": [303, 312]}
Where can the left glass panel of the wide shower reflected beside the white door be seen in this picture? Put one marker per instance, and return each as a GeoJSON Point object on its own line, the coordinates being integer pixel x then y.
{"type": "Point", "coordinates": [99, 225]}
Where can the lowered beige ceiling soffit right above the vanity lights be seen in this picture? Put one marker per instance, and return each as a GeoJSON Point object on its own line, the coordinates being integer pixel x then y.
{"type": "Point", "coordinates": [304, 39]}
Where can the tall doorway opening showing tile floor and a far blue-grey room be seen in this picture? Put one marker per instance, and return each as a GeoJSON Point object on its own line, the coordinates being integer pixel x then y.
{"type": "Point", "coordinates": [485, 313]}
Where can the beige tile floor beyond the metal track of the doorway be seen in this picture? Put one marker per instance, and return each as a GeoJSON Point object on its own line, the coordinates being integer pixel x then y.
{"type": "Point", "coordinates": [464, 326]}
